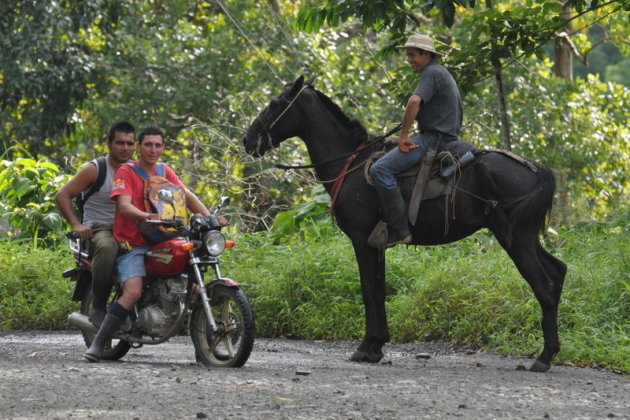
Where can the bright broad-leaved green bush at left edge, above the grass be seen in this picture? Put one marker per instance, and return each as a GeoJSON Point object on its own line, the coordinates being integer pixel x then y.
{"type": "Point", "coordinates": [27, 190]}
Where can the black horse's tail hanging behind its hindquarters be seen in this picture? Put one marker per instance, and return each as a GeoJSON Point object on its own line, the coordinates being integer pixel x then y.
{"type": "Point", "coordinates": [533, 208]}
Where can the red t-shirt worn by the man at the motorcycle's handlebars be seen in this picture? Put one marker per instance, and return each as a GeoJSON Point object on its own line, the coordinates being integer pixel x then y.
{"type": "Point", "coordinates": [128, 182]}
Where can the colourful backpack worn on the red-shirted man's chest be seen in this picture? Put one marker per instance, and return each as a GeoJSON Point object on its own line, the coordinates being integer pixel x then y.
{"type": "Point", "coordinates": [163, 197]}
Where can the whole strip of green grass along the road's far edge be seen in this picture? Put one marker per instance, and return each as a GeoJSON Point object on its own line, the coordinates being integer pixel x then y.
{"type": "Point", "coordinates": [307, 285]}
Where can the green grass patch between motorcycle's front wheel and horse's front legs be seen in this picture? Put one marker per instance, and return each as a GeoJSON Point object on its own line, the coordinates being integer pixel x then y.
{"type": "Point", "coordinates": [300, 290]}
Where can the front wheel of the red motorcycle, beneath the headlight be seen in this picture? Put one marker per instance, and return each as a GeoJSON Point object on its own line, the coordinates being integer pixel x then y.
{"type": "Point", "coordinates": [232, 343]}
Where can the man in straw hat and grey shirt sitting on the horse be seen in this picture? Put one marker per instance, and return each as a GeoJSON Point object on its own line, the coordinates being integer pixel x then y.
{"type": "Point", "coordinates": [437, 107]}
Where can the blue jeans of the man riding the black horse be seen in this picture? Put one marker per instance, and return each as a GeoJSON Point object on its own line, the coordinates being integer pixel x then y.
{"type": "Point", "coordinates": [384, 170]}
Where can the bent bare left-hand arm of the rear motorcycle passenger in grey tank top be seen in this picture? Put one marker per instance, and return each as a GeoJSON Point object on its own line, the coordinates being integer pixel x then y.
{"type": "Point", "coordinates": [73, 188]}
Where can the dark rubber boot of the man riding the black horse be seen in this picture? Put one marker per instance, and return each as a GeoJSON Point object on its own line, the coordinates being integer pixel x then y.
{"type": "Point", "coordinates": [395, 215]}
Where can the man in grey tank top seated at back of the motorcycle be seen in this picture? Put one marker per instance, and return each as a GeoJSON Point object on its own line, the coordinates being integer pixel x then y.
{"type": "Point", "coordinates": [98, 214]}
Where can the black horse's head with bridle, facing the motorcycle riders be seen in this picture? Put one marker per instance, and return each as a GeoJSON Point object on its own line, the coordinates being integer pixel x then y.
{"type": "Point", "coordinates": [270, 127]}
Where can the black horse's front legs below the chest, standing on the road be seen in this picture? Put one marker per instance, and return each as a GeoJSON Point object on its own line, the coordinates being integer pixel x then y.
{"type": "Point", "coordinates": [372, 271]}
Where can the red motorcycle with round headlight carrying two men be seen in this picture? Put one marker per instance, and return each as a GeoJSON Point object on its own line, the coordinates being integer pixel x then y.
{"type": "Point", "coordinates": [219, 320]}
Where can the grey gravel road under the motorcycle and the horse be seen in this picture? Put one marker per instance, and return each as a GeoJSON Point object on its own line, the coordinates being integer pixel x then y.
{"type": "Point", "coordinates": [42, 375]}
